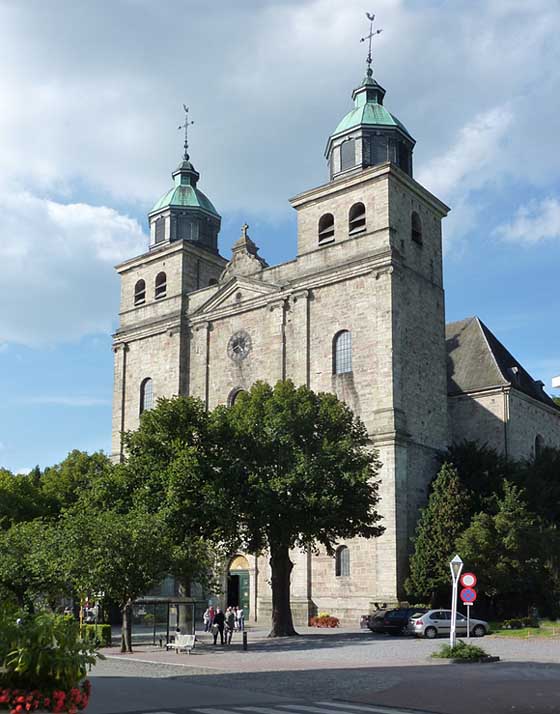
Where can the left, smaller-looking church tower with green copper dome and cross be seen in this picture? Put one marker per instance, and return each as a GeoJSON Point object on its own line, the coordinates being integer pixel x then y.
{"type": "Point", "coordinates": [151, 343]}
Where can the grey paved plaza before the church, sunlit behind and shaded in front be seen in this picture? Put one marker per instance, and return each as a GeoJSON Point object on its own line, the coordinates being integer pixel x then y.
{"type": "Point", "coordinates": [354, 671]}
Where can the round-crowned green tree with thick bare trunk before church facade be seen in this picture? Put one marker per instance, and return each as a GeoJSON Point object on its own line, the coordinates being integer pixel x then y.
{"type": "Point", "coordinates": [302, 474]}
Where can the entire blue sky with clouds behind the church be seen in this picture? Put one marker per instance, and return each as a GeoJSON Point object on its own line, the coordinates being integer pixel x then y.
{"type": "Point", "coordinates": [92, 96]}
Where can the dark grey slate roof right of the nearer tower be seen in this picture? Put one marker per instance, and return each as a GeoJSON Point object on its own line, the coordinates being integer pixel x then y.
{"type": "Point", "coordinates": [476, 360]}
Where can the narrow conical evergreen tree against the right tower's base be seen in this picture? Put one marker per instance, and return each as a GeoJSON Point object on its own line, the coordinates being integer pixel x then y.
{"type": "Point", "coordinates": [445, 516]}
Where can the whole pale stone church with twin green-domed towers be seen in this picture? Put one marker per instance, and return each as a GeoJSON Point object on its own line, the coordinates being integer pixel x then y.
{"type": "Point", "coordinates": [359, 311]}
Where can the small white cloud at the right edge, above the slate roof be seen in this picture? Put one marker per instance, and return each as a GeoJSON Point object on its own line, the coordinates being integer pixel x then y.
{"type": "Point", "coordinates": [534, 222]}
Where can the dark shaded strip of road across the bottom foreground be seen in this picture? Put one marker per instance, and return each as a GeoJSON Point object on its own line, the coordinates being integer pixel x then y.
{"type": "Point", "coordinates": [442, 688]}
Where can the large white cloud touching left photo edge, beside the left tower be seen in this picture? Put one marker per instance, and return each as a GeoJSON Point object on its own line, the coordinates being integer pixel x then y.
{"type": "Point", "coordinates": [56, 260]}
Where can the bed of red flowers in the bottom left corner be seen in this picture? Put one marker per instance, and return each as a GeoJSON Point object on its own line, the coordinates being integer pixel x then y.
{"type": "Point", "coordinates": [57, 700]}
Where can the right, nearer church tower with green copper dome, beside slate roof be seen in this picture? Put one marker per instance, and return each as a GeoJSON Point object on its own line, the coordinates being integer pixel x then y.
{"type": "Point", "coordinates": [378, 232]}
